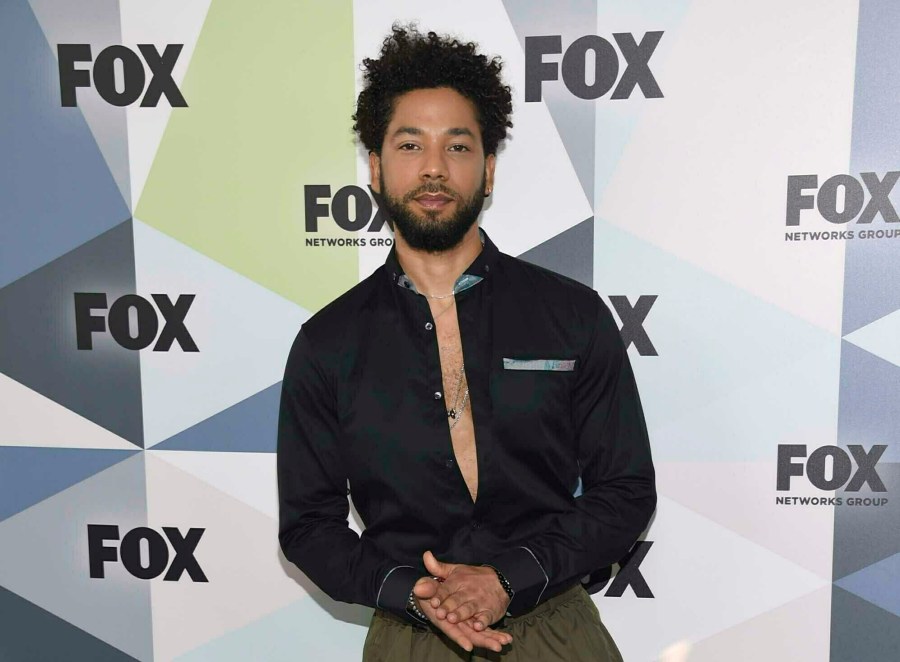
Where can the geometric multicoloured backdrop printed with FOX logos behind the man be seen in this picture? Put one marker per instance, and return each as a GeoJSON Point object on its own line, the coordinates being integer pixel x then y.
{"type": "Point", "coordinates": [180, 189]}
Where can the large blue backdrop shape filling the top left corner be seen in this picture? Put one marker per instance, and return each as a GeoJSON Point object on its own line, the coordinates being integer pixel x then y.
{"type": "Point", "coordinates": [60, 193]}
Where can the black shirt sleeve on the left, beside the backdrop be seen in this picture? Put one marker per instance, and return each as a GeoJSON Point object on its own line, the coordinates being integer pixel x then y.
{"type": "Point", "coordinates": [312, 485]}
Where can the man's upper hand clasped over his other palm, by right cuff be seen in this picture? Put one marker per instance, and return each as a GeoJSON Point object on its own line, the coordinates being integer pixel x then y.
{"type": "Point", "coordinates": [467, 592]}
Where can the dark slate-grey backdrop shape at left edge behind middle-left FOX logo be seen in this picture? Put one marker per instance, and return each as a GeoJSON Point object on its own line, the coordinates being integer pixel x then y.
{"type": "Point", "coordinates": [38, 346]}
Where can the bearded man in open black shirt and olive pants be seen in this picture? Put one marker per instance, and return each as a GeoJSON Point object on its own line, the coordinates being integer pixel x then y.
{"type": "Point", "coordinates": [463, 395]}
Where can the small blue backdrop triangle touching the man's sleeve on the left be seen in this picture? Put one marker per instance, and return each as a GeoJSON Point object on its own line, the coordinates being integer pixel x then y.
{"type": "Point", "coordinates": [249, 426]}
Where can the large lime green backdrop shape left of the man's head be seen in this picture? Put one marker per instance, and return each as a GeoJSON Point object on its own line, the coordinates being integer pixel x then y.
{"type": "Point", "coordinates": [270, 95]}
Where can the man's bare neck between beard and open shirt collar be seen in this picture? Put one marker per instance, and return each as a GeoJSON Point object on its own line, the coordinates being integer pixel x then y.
{"type": "Point", "coordinates": [436, 273]}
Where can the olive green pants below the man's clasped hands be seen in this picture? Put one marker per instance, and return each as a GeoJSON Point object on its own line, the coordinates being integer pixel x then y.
{"type": "Point", "coordinates": [565, 628]}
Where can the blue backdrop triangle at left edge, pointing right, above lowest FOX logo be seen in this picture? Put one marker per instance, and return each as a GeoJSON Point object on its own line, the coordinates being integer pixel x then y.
{"type": "Point", "coordinates": [30, 475]}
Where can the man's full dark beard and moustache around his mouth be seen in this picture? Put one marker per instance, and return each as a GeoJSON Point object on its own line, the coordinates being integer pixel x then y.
{"type": "Point", "coordinates": [427, 232]}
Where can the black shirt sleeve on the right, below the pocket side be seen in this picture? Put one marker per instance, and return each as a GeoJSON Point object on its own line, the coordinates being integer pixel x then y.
{"type": "Point", "coordinates": [617, 474]}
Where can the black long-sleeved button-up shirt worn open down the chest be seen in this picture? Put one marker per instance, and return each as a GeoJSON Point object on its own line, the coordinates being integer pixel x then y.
{"type": "Point", "coordinates": [553, 398]}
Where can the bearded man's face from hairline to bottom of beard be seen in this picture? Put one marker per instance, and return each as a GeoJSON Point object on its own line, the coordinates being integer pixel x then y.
{"type": "Point", "coordinates": [432, 173]}
